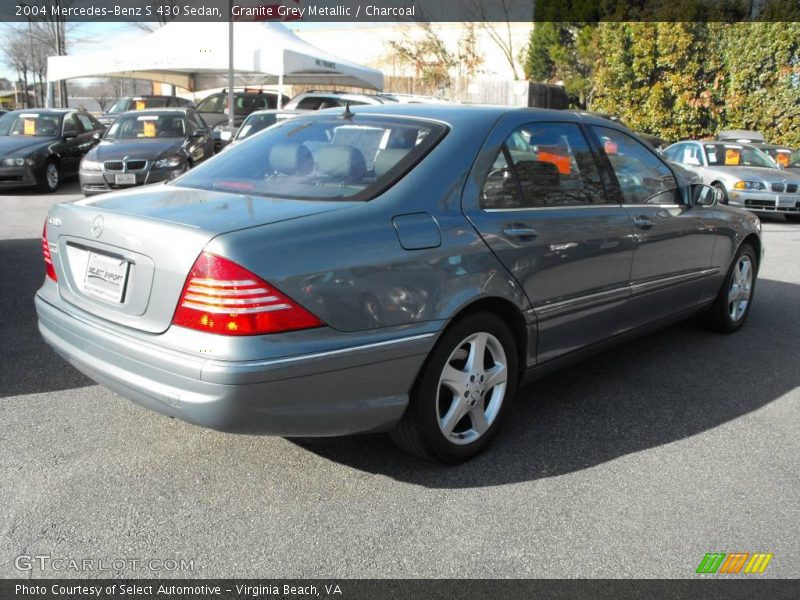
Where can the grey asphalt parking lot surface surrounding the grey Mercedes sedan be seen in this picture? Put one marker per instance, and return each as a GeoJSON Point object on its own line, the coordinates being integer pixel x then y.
{"type": "Point", "coordinates": [634, 463]}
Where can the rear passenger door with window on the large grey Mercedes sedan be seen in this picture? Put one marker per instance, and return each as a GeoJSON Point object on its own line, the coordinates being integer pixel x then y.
{"type": "Point", "coordinates": [543, 210]}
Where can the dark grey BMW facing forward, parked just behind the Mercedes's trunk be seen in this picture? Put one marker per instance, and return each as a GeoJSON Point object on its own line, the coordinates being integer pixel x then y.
{"type": "Point", "coordinates": [146, 146]}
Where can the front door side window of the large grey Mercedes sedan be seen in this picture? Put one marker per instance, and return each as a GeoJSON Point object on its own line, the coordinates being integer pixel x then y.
{"type": "Point", "coordinates": [643, 178]}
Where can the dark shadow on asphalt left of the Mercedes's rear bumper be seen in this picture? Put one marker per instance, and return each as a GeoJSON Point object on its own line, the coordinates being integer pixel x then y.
{"type": "Point", "coordinates": [27, 364]}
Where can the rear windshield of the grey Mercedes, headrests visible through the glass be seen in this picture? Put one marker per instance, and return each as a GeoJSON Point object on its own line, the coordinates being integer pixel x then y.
{"type": "Point", "coordinates": [321, 158]}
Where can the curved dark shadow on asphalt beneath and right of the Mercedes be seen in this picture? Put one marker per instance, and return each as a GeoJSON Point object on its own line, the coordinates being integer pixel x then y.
{"type": "Point", "coordinates": [667, 386]}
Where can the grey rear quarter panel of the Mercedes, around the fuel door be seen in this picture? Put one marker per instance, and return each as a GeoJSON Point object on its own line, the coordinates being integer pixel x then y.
{"type": "Point", "coordinates": [333, 264]}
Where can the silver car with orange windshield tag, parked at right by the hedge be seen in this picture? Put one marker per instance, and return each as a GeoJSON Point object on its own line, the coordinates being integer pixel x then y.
{"type": "Point", "coordinates": [745, 176]}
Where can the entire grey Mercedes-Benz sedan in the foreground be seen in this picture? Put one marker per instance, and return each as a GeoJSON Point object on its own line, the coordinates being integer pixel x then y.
{"type": "Point", "coordinates": [393, 269]}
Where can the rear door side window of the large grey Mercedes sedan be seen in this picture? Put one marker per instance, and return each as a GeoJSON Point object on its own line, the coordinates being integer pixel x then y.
{"type": "Point", "coordinates": [544, 165]}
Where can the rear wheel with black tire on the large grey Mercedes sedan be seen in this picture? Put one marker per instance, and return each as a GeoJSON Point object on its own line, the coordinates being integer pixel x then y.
{"type": "Point", "coordinates": [419, 431]}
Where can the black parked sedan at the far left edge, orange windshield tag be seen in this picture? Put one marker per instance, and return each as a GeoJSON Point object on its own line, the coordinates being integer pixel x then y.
{"type": "Point", "coordinates": [42, 147]}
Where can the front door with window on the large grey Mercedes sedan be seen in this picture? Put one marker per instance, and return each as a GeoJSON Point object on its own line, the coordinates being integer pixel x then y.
{"type": "Point", "coordinates": [674, 240]}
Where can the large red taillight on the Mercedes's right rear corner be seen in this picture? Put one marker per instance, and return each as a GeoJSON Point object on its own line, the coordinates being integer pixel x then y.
{"type": "Point", "coordinates": [221, 297]}
